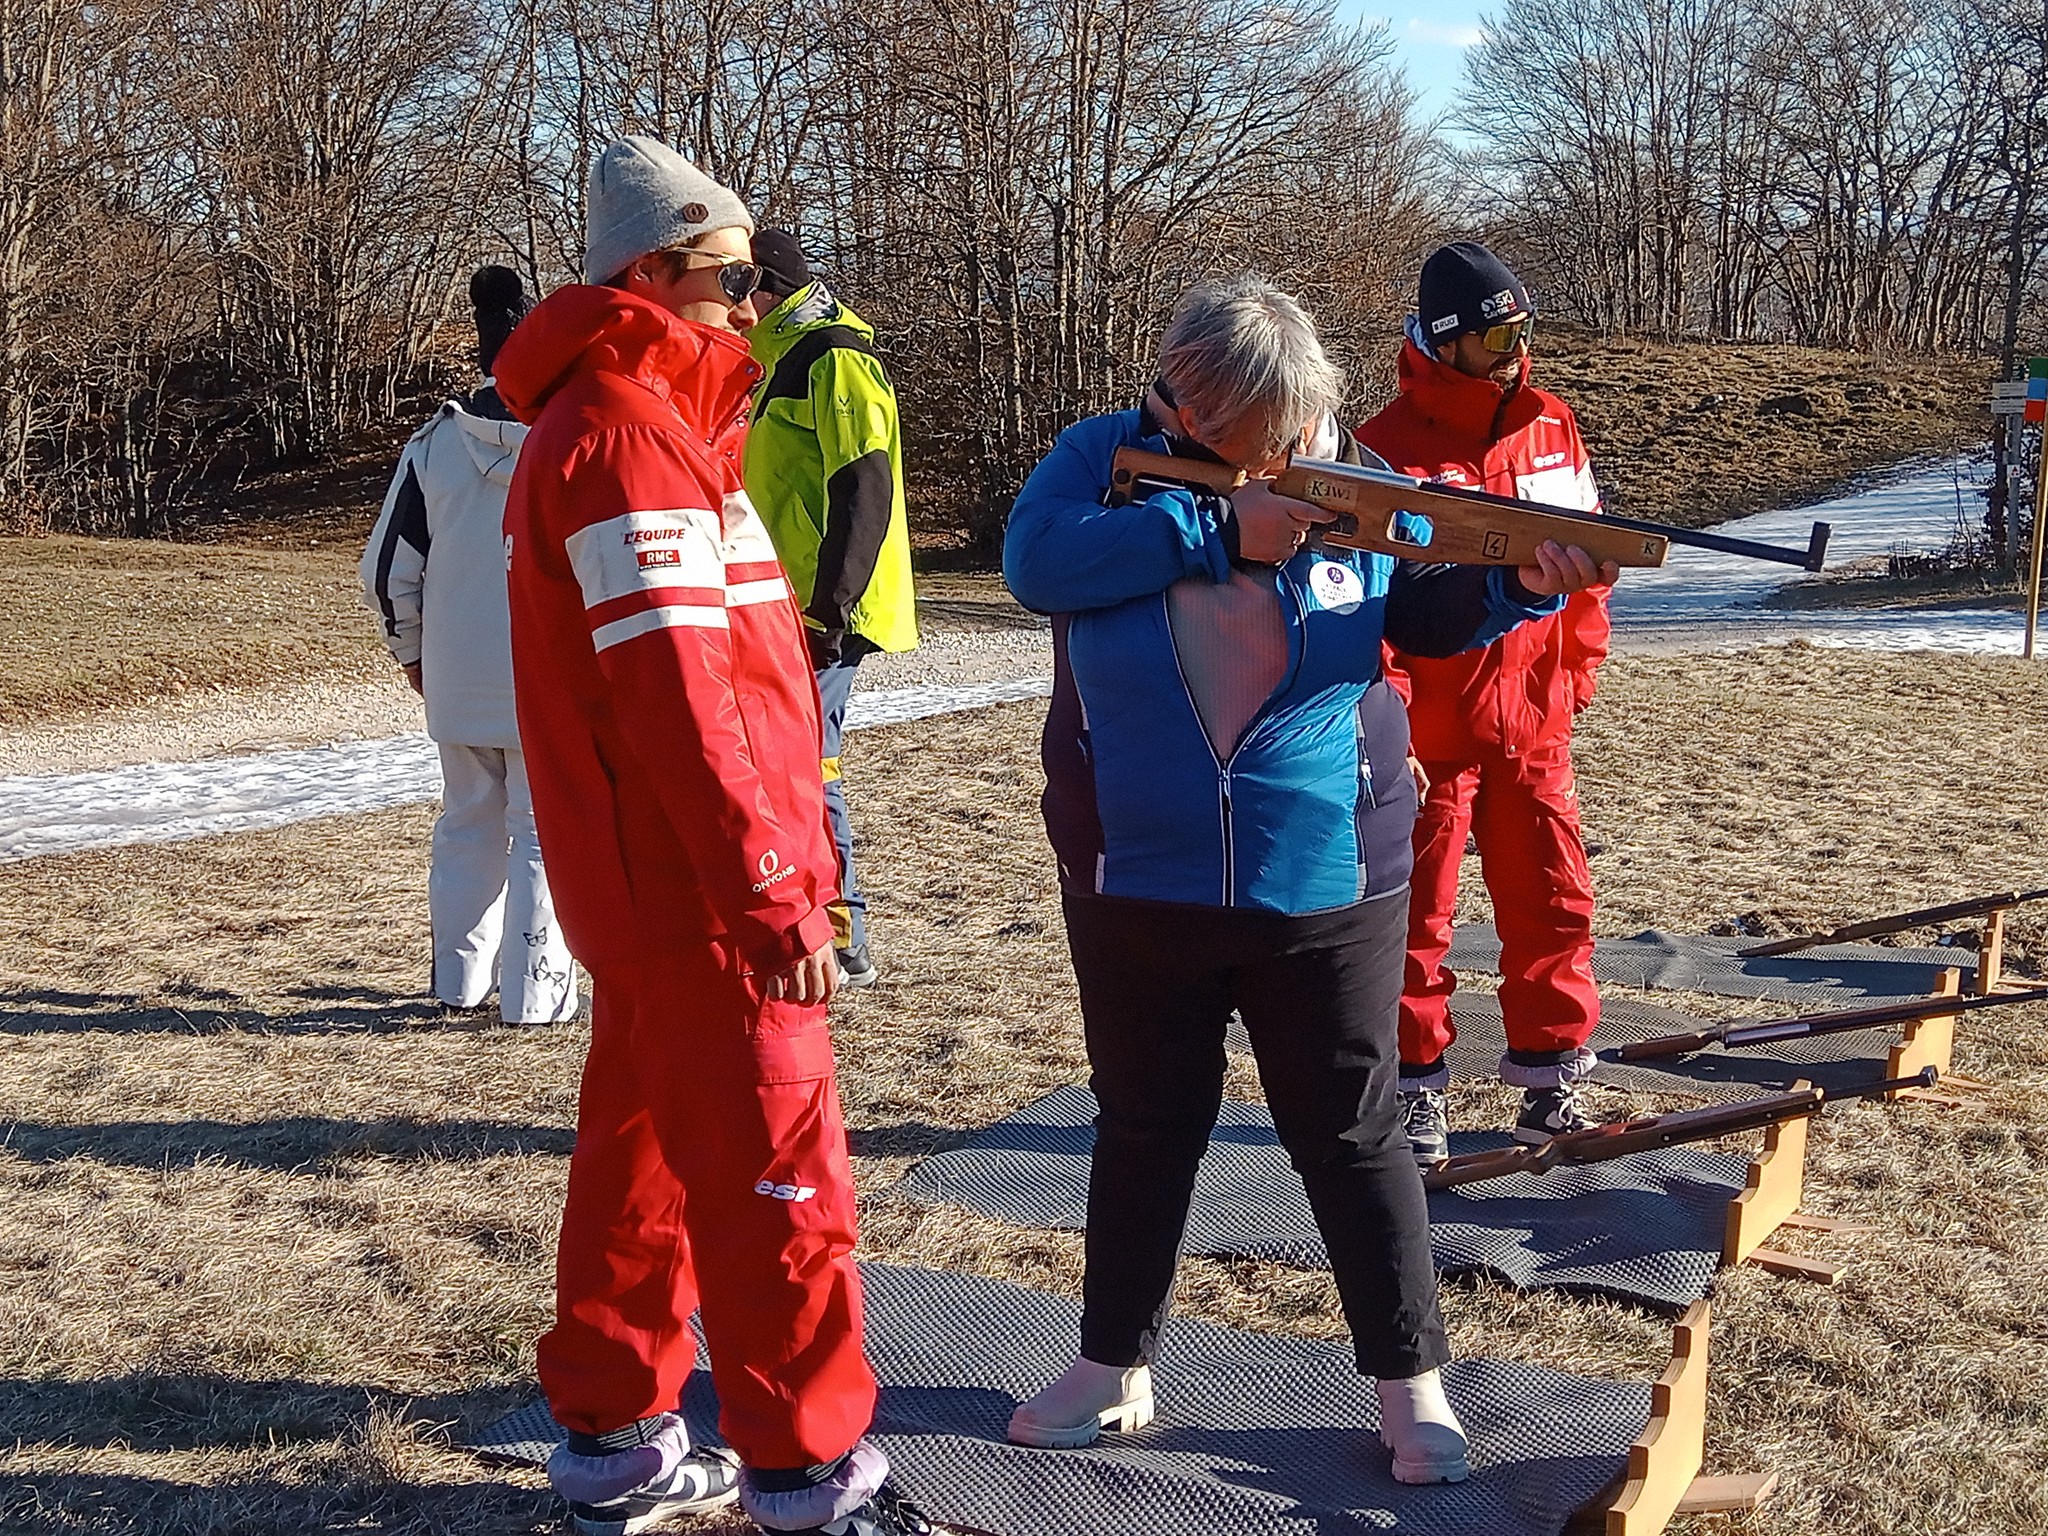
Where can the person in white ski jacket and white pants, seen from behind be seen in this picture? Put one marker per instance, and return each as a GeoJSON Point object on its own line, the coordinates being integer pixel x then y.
{"type": "Point", "coordinates": [493, 914]}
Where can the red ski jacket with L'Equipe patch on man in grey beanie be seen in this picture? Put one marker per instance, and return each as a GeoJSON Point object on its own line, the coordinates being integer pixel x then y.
{"type": "Point", "coordinates": [667, 701]}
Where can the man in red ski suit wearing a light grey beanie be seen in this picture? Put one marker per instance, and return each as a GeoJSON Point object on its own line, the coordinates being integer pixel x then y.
{"type": "Point", "coordinates": [673, 744]}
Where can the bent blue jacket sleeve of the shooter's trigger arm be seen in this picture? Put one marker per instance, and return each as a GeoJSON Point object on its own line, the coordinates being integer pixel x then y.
{"type": "Point", "coordinates": [1066, 552]}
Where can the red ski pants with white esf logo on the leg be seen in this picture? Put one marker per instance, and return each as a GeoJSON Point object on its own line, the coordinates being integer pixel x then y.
{"type": "Point", "coordinates": [710, 1175]}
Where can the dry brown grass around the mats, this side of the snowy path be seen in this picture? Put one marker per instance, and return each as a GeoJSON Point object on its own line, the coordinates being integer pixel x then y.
{"type": "Point", "coordinates": [269, 1224]}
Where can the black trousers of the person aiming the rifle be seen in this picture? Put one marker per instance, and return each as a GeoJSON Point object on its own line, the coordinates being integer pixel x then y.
{"type": "Point", "coordinates": [1320, 996]}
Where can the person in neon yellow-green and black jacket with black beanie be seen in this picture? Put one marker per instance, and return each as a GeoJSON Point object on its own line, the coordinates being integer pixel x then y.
{"type": "Point", "coordinates": [824, 466]}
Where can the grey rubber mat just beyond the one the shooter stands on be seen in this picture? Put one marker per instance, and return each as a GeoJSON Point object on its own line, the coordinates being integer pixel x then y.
{"type": "Point", "coordinates": [1644, 1230]}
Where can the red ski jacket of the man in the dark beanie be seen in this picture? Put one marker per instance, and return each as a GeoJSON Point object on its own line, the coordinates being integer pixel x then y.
{"type": "Point", "coordinates": [1523, 691]}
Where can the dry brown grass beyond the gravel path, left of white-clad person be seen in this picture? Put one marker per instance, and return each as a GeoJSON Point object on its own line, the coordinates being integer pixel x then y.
{"type": "Point", "coordinates": [114, 622]}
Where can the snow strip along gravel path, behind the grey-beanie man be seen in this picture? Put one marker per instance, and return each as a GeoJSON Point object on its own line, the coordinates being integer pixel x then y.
{"type": "Point", "coordinates": [169, 802]}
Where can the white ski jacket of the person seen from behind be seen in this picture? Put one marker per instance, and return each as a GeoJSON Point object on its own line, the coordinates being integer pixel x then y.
{"type": "Point", "coordinates": [435, 570]}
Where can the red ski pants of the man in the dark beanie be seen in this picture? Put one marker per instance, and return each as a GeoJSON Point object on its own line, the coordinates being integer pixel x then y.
{"type": "Point", "coordinates": [1525, 814]}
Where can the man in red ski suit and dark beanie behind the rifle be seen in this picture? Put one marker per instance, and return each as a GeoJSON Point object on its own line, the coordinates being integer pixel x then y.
{"type": "Point", "coordinates": [1494, 728]}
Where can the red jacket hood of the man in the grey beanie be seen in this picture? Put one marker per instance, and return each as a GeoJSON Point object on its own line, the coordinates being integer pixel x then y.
{"type": "Point", "coordinates": [703, 372]}
